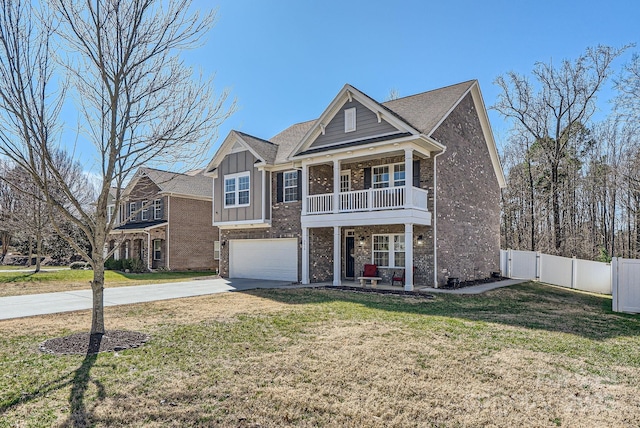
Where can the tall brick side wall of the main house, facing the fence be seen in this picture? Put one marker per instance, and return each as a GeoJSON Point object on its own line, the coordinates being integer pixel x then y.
{"type": "Point", "coordinates": [468, 223]}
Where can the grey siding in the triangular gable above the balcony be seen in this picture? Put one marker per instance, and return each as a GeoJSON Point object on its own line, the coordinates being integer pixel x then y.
{"type": "Point", "coordinates": [367, 126]}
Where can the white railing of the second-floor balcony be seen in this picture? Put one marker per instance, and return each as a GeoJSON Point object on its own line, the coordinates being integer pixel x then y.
{"type": "Point", "coordinates": [367, 200]}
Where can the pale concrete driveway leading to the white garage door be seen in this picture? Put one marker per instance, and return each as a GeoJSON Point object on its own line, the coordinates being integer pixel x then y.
{"type": "Point", "coordinates": [66, 301]}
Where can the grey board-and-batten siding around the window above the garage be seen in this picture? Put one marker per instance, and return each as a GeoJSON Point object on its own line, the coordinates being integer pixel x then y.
{"type": "Point", "coordinates": [232, 164]}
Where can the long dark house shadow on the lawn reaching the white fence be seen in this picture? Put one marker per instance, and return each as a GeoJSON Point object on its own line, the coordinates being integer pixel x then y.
{"type": "Point", "coordinates": [529, 305]}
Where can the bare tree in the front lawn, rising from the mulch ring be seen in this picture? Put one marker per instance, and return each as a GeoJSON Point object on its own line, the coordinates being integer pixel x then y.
{"type": "Point", "coordinates": [139, 102]}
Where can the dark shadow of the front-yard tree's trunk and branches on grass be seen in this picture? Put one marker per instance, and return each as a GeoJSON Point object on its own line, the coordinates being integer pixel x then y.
{"type": "Point", "coordinates": [78, 379]}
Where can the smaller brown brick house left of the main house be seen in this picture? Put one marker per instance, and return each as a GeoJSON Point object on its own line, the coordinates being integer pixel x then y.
{"type": "Point", "coordinates": [165, 220]}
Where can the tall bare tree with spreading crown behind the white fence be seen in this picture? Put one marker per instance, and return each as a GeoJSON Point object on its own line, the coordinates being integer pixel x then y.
{"type": "Point", "coordinates": [555, 110]}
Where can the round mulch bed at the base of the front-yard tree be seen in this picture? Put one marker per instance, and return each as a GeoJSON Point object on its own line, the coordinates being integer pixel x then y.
{"type": "Point", "coordinates": [86, 344]}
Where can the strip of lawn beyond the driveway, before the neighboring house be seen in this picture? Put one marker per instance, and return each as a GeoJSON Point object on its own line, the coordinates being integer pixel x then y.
{"type": "Point", "coordinates": [19, 283]}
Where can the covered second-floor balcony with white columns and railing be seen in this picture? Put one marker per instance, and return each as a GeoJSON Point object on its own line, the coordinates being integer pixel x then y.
{"type": "Point", "coordinates": [384, 189]}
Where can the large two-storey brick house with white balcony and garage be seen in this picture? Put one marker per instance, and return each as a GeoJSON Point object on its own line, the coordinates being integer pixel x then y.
{"type": "Point", "coordinates": [409, 184]}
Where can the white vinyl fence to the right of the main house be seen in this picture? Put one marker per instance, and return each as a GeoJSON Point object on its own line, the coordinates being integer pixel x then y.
{"type": "Point", "coordinates": [621, 277]}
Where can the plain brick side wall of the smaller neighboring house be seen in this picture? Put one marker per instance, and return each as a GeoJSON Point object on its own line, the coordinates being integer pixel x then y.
{"type": "Point", "coordinates": [191, 235]}
